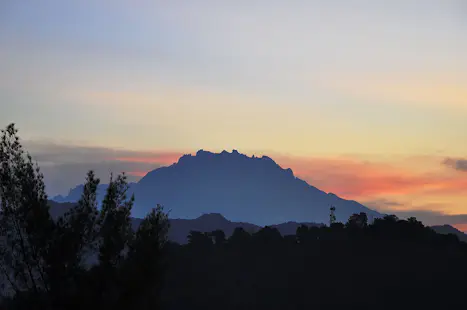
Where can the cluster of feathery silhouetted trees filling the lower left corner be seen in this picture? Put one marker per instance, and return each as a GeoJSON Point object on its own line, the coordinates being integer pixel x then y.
{"type": "Point", "coordinates": [88, 257]}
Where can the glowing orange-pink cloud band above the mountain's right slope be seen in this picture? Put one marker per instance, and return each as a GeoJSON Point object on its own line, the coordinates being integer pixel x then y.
{"type": "Point", "coordinates": [353, 179]}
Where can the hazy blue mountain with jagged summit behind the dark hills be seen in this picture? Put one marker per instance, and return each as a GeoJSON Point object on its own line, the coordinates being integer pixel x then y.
{"type": "Point", "coordinates": [242, 188]}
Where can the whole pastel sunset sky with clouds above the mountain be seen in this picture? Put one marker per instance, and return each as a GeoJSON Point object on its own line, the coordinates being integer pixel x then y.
{"type": "Point", "coordinates": [365, 99]}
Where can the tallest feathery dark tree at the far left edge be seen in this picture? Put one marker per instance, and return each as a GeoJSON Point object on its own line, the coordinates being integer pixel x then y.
{"type": "Point", "coordinates": [25, 222]}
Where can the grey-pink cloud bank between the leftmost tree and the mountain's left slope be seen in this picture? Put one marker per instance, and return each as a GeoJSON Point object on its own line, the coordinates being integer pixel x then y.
{"type": "Point", "coordinates": [65, 166]}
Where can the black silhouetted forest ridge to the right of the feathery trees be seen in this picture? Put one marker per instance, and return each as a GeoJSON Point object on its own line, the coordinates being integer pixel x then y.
{"type": "Point", "coordinates": [389, 263]}
